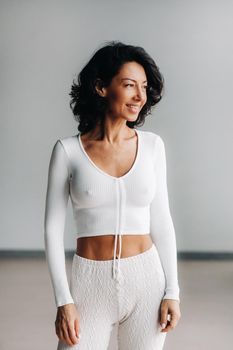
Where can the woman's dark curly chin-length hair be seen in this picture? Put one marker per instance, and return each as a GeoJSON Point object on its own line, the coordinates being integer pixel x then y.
{"type": "Point", "coordinates": [88, 107]}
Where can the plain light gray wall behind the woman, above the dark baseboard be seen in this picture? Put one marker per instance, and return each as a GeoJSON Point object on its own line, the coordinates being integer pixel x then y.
{"type": "Point", "coordinates": [45, 43]}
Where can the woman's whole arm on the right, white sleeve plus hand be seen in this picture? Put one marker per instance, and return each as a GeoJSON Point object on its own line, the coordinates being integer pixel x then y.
{"type": "Point", "coordinates": [163, 234]}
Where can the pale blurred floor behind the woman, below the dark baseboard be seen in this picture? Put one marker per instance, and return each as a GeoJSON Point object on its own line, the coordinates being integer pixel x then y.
{"type": "Point", "coordinates": [28, 309]}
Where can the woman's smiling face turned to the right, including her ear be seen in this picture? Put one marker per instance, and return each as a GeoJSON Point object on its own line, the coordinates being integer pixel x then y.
{"type": "Point", "coordinates": [127, 93]}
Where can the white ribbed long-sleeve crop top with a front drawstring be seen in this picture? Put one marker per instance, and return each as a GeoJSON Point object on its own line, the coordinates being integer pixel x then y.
{"type": "Point", "coordinates": [135, 203]}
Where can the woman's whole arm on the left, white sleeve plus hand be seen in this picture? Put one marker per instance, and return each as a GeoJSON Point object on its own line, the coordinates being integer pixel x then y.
{"type": "Point", "coordinates": [58, 190]}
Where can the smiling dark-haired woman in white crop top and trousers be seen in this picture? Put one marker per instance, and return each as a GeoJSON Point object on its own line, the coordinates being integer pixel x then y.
{"type": "Point", "coordinates": [115, 176]}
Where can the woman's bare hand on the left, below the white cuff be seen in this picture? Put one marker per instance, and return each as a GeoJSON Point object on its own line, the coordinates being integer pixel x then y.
{"type": "Point", "coordinates": [67, 324]}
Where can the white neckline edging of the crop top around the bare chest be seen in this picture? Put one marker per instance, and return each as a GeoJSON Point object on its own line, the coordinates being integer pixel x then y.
{"type": "Point", "coordinates": [102, 171]}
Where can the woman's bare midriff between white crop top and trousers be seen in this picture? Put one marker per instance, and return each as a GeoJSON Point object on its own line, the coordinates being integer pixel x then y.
{"type": "Point", "coordinates": [102, 247]}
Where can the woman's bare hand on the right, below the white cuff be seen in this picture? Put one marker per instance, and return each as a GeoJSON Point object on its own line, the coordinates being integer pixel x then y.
{"type": "Point", "coordinates": [169, 307]}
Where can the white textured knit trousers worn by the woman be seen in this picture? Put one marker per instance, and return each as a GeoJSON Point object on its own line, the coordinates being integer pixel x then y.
{"type": "Point", "coordinates": [132, 301]}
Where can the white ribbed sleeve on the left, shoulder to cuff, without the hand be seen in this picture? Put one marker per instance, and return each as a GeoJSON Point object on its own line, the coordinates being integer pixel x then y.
{"type": "Point", "coordinates": [54, 223]}
